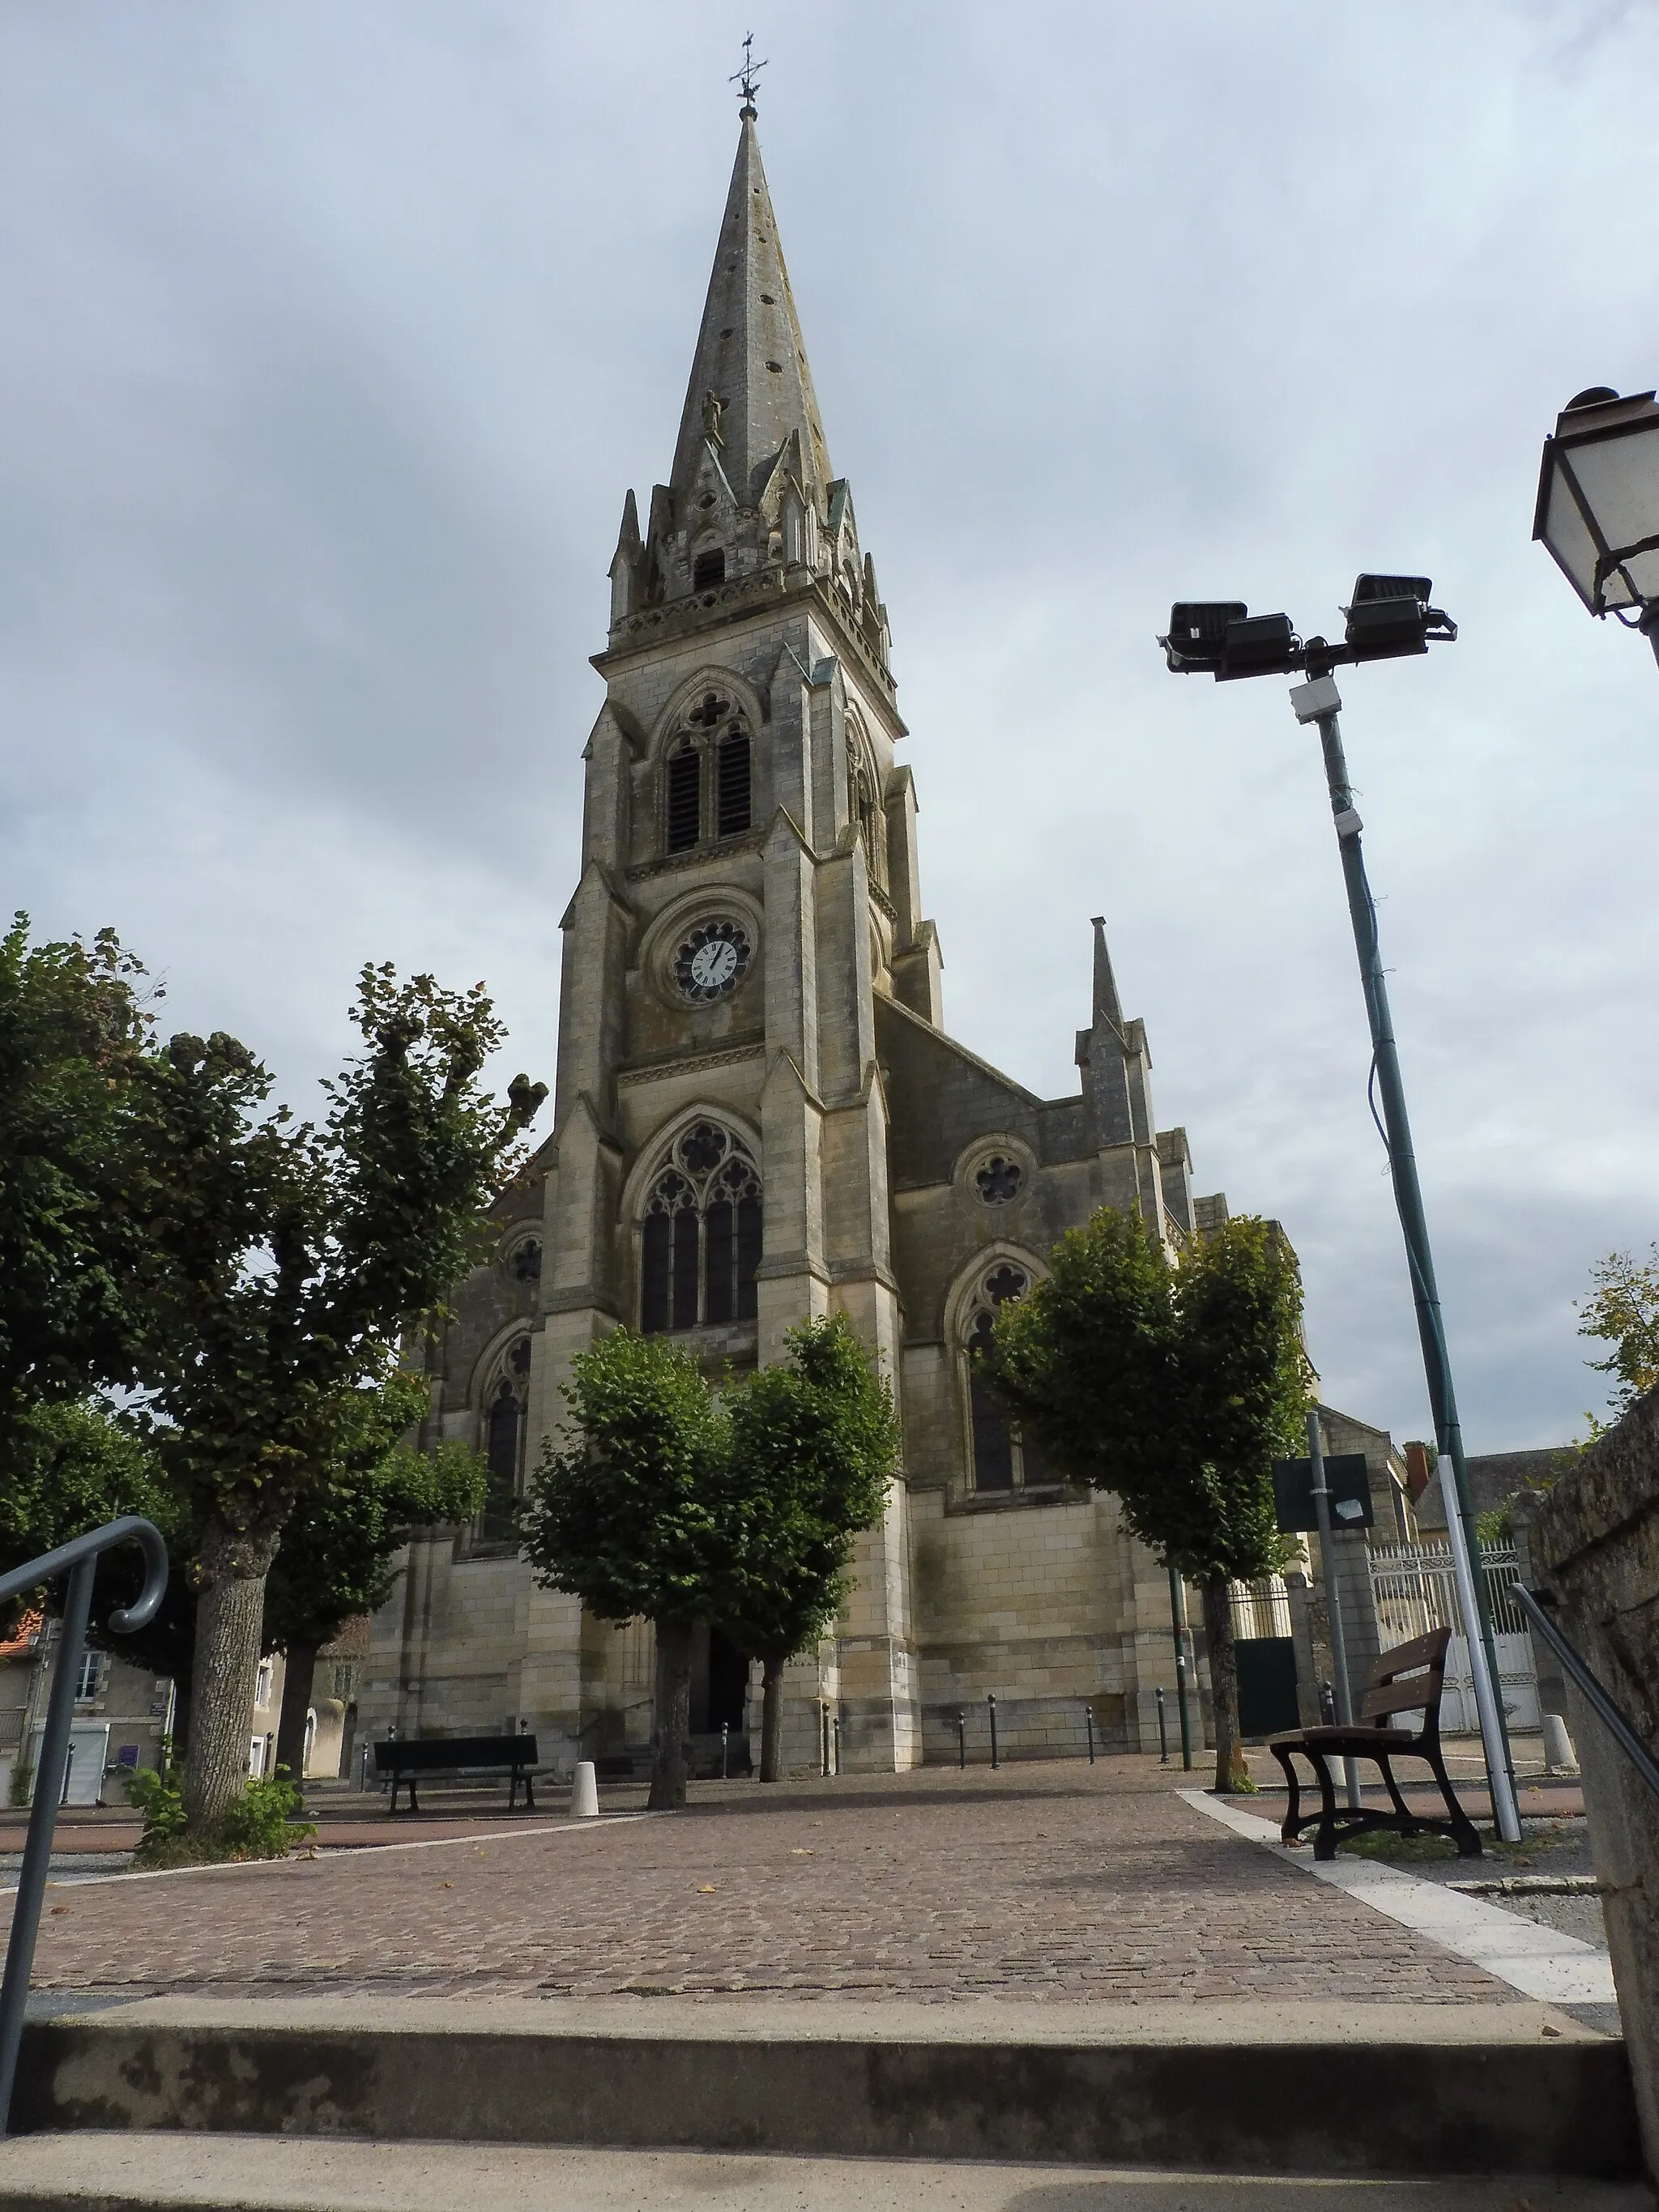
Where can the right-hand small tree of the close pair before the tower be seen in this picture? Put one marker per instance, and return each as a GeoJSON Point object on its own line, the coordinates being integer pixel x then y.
{"type": "Point", "coordinates": [813, 1450]}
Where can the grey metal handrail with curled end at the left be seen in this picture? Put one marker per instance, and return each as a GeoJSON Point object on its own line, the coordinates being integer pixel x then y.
{"type": "Point", "coordinates": [76, 1558]}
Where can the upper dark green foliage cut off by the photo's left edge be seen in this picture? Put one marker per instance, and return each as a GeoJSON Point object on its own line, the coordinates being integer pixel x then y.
{"type": "Point", "coordinates": [74, 1258]}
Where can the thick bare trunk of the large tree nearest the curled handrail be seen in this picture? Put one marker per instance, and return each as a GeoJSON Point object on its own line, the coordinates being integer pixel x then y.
{"type": "Point", "coordinates": [231, 1616]}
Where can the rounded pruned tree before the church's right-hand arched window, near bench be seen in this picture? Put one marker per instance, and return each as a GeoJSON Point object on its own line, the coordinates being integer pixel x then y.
{"type": "Point", "coordinates": [1173, 1386]}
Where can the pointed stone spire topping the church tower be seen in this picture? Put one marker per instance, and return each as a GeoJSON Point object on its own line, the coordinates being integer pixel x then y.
{"type": "Point", "coordinates": [751, 388]}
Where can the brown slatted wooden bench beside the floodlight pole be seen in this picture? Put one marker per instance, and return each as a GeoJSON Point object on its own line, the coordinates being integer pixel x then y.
{"type": "Point", "coordinates": [1404, 1680]}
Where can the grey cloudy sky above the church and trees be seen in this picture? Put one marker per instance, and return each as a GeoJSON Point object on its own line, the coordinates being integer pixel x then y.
{"type": "Point", "coordinates": [335, 337]}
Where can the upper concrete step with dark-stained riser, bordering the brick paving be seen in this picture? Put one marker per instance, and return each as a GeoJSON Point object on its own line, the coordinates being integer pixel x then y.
{"type": "Point", "coordinates": [1231, 2089]}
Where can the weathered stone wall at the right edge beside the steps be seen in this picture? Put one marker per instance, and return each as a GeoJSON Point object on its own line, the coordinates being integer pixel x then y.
{"type": "Point", "coordinates": [1596, 1547]}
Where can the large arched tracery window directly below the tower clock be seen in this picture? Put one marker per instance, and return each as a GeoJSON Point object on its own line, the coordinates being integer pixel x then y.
{"type": "Point", "coordinates": [700, 1238]}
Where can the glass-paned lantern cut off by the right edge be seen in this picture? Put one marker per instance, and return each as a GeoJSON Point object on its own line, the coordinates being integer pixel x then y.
{"type": "Point", "coordinates": [1598, 505]}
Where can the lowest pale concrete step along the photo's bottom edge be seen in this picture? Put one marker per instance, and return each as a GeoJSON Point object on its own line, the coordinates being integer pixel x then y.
{"type": "Point", "coordinates": [258, 2173]}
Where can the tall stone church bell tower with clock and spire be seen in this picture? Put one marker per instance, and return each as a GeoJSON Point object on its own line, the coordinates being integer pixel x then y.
{"type": "Point", "coordinates": [749, 893]}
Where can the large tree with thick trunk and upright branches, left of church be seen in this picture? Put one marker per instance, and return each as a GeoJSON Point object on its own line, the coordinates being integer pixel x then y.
{"type": "Point", "coordinates": [295, 1258]}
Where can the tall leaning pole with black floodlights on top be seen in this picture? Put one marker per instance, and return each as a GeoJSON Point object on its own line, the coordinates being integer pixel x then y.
{"type": "Point", "coordinates": [1388, 616]}
